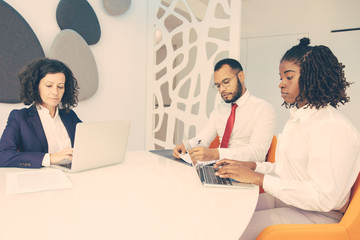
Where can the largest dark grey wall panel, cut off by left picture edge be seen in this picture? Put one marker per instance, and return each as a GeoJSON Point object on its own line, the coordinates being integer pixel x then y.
{"type": "Point", "coordinates": [18, 46]}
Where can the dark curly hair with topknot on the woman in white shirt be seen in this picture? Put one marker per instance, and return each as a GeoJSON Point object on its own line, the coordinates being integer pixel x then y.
{"type": "Point", "coordinates": [322, 79]}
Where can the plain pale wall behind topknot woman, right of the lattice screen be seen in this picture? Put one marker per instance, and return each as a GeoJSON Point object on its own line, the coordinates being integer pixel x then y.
{"type": "Point", "coordinates": [269, 28]}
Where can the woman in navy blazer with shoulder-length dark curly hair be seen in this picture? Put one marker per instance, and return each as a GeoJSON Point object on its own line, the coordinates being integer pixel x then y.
{"type": "Point", "coordinates": [42, 134]}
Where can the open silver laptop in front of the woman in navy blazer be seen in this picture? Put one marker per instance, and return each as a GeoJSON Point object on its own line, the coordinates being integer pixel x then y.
{"type": "Point", "coordinates": [98, 144]}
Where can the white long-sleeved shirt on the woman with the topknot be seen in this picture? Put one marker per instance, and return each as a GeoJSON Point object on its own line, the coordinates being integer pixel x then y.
{"type": "Point", "coordinates": [317, 160]}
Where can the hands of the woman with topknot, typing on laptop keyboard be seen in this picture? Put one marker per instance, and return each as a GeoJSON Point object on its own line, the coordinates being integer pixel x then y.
{"type": "Point", "coordinates": [239, 171]}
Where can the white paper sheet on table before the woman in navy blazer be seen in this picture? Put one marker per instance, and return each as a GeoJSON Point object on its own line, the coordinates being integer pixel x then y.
{"type": "Point", "coordinates": [36, 180]}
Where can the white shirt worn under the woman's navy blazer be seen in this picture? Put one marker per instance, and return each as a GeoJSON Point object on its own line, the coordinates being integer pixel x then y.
{"type": "Point", "coordinates": [56, 135]}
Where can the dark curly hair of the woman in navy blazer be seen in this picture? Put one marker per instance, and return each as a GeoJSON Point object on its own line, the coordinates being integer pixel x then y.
{"type": "Point", "coordinates": [30, 78]}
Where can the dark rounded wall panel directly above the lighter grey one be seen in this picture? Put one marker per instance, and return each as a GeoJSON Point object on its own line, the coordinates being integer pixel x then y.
{"type": "Point", "coordinates": [79, 16]}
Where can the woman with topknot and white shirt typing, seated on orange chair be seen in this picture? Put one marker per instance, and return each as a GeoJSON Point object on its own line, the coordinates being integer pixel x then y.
{"type": "Point", "coordinates": [317, 156]}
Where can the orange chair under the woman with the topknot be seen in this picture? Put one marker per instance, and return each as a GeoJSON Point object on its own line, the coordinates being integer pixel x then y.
{"type": "Point", "coordinates": [347, 229]}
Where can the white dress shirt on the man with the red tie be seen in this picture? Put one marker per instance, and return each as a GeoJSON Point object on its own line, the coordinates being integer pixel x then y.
{"type": "Point", "coordinates": [252, 132]}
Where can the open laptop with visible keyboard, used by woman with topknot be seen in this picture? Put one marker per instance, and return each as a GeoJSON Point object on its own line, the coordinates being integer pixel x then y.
{"type": "Point", "coordinates": [207, 175]}
